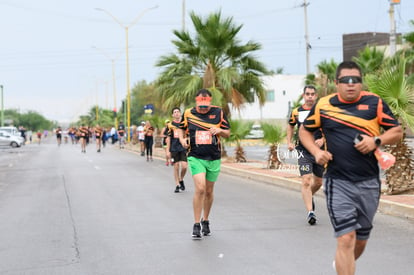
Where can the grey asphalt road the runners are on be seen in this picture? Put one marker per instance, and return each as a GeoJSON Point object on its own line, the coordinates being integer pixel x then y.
{"type": "Point", "coordinates": [64, 212]}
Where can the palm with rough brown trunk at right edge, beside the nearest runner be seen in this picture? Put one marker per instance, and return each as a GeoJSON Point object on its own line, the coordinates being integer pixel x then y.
{"type": "Point", "coordinates": [391, 84]}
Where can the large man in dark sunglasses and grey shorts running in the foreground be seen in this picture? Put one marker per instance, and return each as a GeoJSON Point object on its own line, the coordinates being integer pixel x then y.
{"type": "Point", "coordinates": [350, 121]}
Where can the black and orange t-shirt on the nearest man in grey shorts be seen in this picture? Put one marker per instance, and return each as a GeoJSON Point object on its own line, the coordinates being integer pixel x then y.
{"type": "Point", "coordinates": [341, 122]}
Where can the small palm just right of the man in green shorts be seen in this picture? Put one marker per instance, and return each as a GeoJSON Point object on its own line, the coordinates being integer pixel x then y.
{"type": "Point", "coordinates": [239, 129]}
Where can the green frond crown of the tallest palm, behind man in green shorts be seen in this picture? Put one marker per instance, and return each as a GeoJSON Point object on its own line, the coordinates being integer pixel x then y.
{"type": "Point", "coordinates": [215, 59]}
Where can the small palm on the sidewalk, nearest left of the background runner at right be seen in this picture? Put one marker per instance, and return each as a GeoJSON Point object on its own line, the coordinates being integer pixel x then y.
{"type": "Point", "coordinates": [273, 135]}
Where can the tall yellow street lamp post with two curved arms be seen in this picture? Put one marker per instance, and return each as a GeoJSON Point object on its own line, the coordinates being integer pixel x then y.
{"type": "Point", "coordinates": [127, 27]}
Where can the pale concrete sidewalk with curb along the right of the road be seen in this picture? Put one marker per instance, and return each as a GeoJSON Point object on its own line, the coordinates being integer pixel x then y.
{"type": "Point", "coordinates": [288, 177]}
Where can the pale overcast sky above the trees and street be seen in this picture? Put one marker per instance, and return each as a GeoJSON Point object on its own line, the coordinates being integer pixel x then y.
{"type": "Point", "coordinates": [55, 55]}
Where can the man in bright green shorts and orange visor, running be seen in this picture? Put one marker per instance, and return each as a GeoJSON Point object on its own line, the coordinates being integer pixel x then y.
{"type": "Point", "coordinates": [205, 125]}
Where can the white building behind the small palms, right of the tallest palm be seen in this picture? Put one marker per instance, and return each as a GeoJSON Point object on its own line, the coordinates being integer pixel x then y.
{"type": "Point", "coordinates": [281, 91]}
